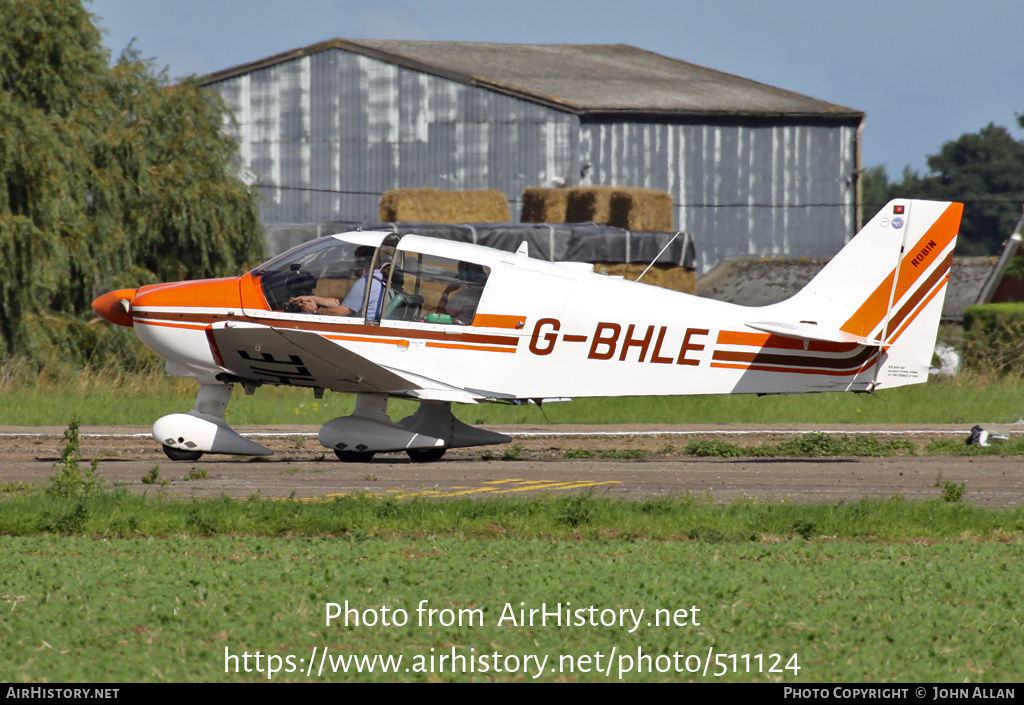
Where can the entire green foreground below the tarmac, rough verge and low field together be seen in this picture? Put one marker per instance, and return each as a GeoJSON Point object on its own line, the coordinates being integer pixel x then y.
{"type": "Point", "coordinates": [115, 588]}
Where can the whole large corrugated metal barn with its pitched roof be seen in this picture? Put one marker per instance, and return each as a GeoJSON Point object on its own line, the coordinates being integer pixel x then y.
{"type": "Point", "coordinates": [754, 171]}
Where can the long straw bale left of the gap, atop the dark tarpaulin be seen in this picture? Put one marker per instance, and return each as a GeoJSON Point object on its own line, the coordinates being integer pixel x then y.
{"type": "Point", "coordinates": [438, 205]}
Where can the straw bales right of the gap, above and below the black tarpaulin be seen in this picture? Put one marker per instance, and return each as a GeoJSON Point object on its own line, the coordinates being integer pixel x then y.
{"type": "Point", "coordinates": [642, 211]}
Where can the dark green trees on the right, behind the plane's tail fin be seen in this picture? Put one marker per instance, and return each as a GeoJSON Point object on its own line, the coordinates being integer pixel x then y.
{"type": "Point", "coordinates": [985, 171]}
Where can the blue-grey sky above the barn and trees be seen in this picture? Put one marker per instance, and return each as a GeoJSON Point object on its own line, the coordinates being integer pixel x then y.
{"type": "Point", "coordinates": [924, 71]}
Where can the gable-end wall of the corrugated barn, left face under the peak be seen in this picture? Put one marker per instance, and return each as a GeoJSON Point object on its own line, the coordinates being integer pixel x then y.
{"type": "Point", "coordinates": [331, 133]}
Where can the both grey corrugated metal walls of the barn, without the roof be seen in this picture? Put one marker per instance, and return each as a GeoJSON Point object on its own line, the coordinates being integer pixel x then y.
{"type": "Point", "coordinates": [330, 133]}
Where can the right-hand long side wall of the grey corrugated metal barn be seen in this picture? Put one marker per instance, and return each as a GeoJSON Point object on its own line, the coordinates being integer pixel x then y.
{"type": "Point", "coordinates": [743, 189]}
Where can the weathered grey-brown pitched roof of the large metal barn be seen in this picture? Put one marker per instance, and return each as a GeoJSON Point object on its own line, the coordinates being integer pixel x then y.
{"type": "Point", "coordinates": [580, 78]}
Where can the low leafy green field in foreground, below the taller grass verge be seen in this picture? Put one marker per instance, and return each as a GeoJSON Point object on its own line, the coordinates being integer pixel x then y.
{"type": "Point", "coordinates": [823, 611]}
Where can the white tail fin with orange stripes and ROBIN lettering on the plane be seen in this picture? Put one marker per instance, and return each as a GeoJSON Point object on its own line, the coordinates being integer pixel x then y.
{"type": "Point", "coordinates": [886, 288]}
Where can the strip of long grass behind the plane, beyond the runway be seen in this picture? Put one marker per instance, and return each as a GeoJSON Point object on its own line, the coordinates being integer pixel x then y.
{"type": "Point", "coordinates": [98, 399]}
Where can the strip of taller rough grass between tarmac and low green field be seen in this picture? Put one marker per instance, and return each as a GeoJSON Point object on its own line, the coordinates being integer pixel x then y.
{"type": "Point", "coordinates": [123, 515]}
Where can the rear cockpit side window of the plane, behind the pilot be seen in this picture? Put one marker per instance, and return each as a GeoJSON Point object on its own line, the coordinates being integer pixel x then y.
{"type": "Point", "coordinates": [435, 289]}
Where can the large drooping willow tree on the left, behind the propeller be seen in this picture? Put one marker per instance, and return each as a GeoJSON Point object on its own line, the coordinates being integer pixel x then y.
{"type": "Point", "coordinates": [110, 178]}
